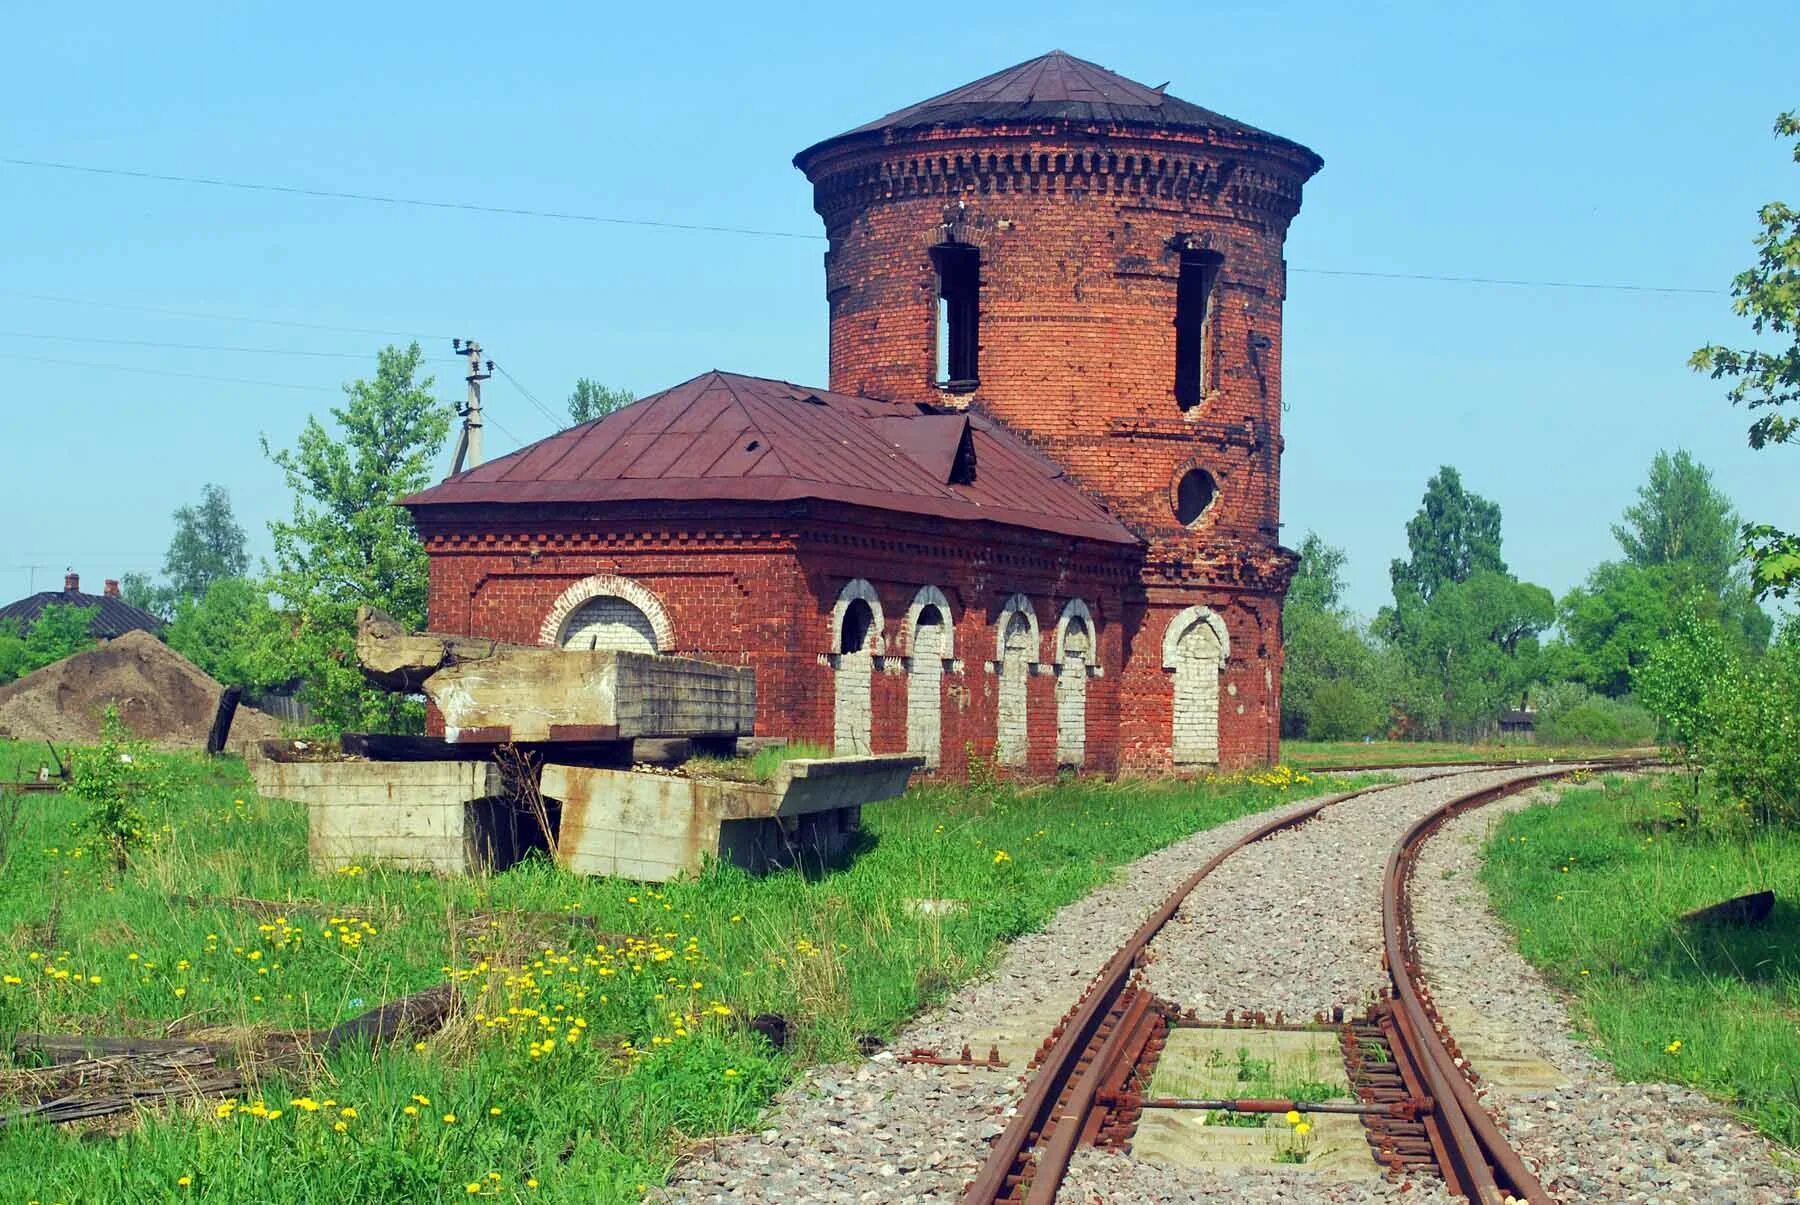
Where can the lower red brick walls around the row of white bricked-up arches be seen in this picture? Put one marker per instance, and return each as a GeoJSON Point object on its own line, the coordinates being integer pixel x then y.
{"type": "Point", "coordinates": [744, 590]}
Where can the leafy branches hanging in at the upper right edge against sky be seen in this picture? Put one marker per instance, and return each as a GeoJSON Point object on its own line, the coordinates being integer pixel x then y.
{"type": "Point", "coordinates": [1768, 294]}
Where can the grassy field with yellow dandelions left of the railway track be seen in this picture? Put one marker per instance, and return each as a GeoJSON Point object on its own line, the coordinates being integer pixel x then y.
{"type": "Point", "coordinates": [586, 1062]}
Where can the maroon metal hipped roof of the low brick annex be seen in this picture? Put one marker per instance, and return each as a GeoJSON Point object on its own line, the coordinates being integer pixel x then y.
{"type": "Point", "coordinates": [723, 437]}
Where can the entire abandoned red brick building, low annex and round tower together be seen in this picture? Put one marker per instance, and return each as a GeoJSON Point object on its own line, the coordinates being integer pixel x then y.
{"type": "Point", "coordinates": [1036, 514]}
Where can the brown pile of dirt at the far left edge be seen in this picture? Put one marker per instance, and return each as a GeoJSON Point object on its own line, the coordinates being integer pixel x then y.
{"type": "Point", "coordinates": [163, 698]}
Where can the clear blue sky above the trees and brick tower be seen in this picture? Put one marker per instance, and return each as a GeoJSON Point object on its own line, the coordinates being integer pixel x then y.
{"type": "Point", "coordinates": [1614, 143]}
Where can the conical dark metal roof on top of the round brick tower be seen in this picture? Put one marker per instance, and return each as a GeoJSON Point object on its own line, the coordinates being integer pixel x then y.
{"type": "Point", "coordinates": [1054, 87]}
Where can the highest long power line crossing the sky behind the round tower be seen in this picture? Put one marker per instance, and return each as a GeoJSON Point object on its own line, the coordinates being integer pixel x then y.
{"type": "Point", "coordinates": [555, 215]}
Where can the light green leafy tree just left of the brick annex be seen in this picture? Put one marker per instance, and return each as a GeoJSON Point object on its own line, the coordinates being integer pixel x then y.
{"type": "Point", "coordinates": [348, 543]}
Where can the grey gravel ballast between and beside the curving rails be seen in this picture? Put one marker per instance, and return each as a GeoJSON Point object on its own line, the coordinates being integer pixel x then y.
{"type": "Point", "coordinates": [1291, 923]}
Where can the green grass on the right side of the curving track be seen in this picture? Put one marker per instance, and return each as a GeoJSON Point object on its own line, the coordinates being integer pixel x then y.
{"type": "Point", "coordinates": [1594, 887]}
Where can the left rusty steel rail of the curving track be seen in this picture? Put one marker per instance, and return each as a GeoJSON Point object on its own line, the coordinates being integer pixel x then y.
{"type": "Point", "coordinates": [1038, 1109]}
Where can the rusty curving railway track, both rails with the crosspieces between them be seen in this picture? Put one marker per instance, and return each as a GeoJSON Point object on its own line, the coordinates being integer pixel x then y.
{"type": "Point", "coordinates": [1416, 1092]}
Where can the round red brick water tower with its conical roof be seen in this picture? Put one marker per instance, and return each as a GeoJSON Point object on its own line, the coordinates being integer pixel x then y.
{"type": "Point", "coordinates": [1099, 266]}
